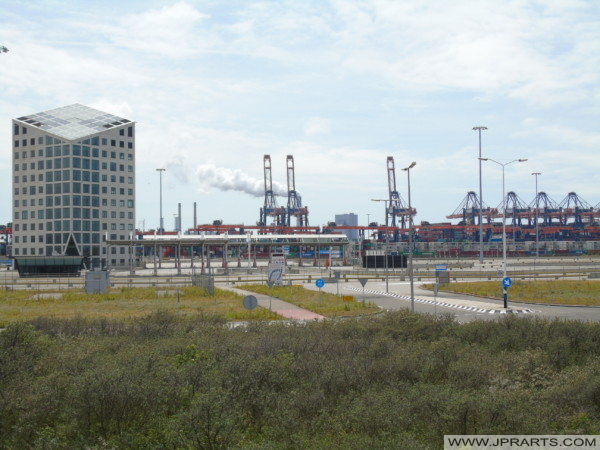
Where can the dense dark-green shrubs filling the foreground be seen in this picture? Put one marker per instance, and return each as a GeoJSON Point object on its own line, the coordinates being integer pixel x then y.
{"type": "Point", "coordinates": [395, 380]}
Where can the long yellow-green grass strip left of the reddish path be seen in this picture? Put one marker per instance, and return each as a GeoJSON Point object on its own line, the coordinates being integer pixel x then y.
{"type": "Point", "coordinates": [124, 303]}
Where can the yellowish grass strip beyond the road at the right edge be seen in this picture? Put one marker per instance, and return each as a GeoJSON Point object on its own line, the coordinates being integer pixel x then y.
{"type": "Point", "coordinates": [563, 292]}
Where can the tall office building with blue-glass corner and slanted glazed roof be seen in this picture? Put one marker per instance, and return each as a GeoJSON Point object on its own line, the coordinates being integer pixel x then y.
{"type": "Point", "coordinates": [73, 185]}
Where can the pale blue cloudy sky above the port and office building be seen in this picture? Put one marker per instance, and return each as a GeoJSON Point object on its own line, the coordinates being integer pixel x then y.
{"type": "Point", "coordinates": [339, 84]}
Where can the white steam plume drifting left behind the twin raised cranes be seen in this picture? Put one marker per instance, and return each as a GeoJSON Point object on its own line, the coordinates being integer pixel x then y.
{"type": "Point", "coordinates": [210, 176]}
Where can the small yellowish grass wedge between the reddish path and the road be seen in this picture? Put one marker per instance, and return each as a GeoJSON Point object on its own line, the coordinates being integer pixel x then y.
{"type": "Point", "coordinates": [329, 305]}
